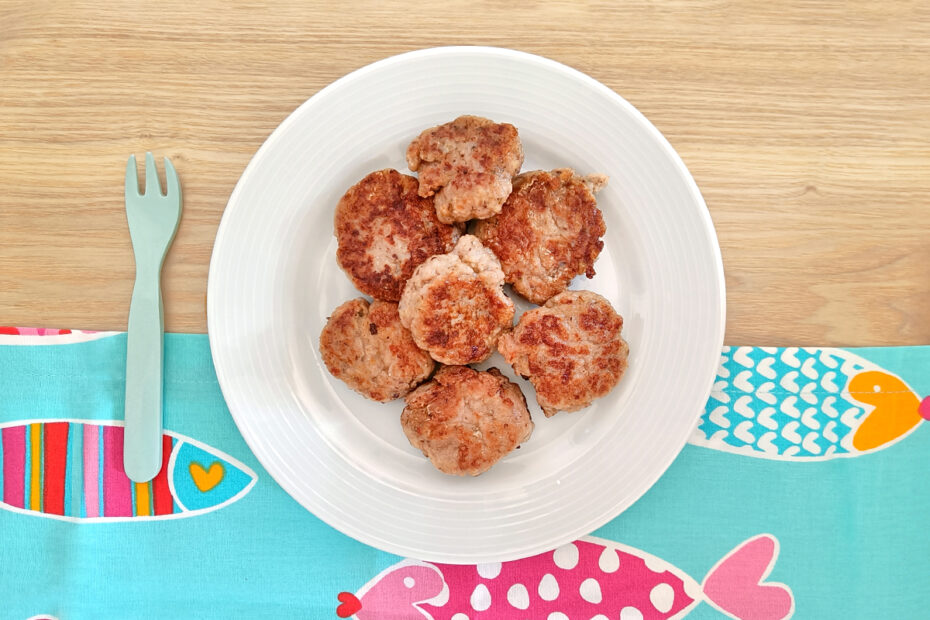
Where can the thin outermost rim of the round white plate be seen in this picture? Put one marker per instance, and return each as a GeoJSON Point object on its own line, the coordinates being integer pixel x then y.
{"type": "Point", "coordinates": [708, 228]}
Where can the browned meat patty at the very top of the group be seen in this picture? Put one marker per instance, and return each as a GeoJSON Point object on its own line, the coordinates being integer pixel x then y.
{"type": "Point", "coordinates": [468, 164]}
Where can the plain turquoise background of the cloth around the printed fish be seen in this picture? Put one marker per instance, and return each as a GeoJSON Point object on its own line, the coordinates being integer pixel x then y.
{"type": "Point", "coordinates": [854, 541]}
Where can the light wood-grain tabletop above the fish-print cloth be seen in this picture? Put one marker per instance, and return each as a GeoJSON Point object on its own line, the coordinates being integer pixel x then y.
{"type": "Point", "coordinates": [805, 124]}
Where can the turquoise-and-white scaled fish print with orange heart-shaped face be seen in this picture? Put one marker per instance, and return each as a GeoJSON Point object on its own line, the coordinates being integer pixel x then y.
{"type": "Point", "coordinates": [805, 404]}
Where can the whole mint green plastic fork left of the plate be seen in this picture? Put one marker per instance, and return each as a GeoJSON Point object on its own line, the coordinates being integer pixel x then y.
{"type": "Point", "coordinates": [153, 221]}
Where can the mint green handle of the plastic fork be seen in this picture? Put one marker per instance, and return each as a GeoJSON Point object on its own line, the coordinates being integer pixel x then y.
{"type": "Point", "coordinates": [142, 449]}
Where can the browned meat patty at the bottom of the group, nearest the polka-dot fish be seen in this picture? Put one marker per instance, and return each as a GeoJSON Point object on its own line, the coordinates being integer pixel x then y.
{"type": "Point", "coordinates": [464, 420]}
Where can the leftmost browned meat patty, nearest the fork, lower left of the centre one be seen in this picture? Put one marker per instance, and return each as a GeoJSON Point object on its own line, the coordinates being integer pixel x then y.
{"type": "Point", "coordinates": [368, 348]}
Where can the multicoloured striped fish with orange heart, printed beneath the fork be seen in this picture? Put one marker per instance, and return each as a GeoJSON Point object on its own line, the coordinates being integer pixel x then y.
{"type": "Point", "coordinates": [73, 470]}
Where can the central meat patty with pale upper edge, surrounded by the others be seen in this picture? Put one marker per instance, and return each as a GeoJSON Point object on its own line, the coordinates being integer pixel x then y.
{"type": "Point", "coordinates": [454, 306]}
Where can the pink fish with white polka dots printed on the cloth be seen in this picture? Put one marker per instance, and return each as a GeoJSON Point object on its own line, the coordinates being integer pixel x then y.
{"type": "Point", "coordinates": [590, 578]}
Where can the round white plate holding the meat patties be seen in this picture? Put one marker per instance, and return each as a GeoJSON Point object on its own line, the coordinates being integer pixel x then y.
{"type": "Point", "coordinates": [274, 280]}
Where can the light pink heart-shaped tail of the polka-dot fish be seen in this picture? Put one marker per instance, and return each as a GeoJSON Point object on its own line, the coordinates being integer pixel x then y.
{"type": "Point", "coordinates": [737, 584]}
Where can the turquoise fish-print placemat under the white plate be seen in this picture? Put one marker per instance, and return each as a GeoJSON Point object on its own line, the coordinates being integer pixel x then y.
{"type": "Point", "coordinates": [809, 472]}
